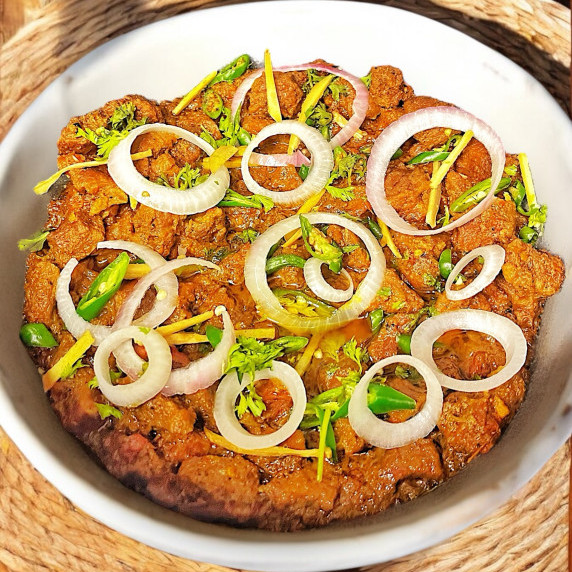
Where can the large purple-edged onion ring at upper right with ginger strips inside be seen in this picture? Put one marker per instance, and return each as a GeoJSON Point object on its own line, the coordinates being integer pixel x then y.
{"type": "Point", "coordinates": [405, 127]}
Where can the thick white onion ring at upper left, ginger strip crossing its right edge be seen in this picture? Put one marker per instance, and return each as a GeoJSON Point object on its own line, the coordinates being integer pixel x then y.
{"type": "Point", "coordinates": [161, 198]}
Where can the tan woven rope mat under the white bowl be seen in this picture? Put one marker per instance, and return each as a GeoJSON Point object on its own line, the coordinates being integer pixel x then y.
{"type": "Point", "coordinates": [41, 530]}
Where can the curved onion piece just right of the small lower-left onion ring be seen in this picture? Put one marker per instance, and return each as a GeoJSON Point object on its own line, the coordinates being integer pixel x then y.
{"type": "Point", "coordinates": [203, 372]}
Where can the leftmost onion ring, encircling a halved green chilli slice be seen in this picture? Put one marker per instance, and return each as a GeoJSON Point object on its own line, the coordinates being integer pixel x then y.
{"type": "Point", "coordinates": [76, 325]}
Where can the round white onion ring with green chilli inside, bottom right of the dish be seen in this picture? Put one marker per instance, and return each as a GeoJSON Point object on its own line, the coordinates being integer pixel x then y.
{"type": "Point", "coordinates": [389, 435]}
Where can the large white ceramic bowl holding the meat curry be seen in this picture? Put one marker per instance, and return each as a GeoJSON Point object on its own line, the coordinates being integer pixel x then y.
{"type": "Point", "coordinates": [164, 60]}
